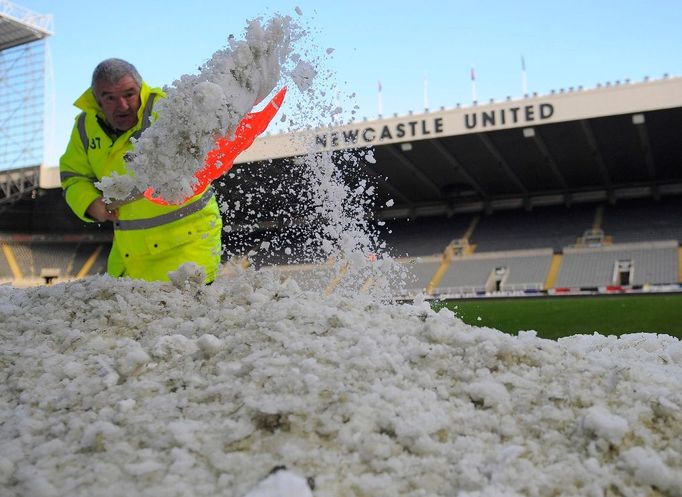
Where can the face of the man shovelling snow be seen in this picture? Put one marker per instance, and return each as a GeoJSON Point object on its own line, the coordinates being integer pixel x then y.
{"type": "Point", "coordinates": [120, 102]}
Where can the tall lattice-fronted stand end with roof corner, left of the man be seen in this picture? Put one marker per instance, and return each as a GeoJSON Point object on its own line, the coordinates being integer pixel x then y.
{"type": "Point", "coordinates": [22, 98]}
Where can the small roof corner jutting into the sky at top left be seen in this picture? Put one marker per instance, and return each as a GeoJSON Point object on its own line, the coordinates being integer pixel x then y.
{"type": "Point", "coordinates": [19, 25]}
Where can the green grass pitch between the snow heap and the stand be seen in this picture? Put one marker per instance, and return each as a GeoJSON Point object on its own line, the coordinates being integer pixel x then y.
{"type": "Point", "coordinates": [555, 317]}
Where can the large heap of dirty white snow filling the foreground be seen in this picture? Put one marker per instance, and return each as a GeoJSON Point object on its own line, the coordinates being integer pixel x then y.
{"type": "Point", "coordinates": [121, 387]}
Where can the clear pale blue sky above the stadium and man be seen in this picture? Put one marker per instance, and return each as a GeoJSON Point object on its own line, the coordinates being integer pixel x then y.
{"type": "Point", "coordinates": [422, 53]}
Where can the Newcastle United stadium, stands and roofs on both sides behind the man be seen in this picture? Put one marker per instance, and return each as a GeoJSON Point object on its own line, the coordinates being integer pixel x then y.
{"type": "Point", "coordinates": [576, 192]}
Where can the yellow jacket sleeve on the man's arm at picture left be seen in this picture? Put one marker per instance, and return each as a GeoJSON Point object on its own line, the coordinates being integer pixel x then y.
{"type": "Point", "coordinates": [77, 177]}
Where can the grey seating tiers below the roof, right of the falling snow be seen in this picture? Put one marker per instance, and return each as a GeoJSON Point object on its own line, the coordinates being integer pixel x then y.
{"type": "Point", "coordinates": [563, 247]}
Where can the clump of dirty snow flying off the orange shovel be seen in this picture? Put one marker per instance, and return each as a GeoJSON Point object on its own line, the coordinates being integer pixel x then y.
{"type": "Point", "coordinates": [199, 108]}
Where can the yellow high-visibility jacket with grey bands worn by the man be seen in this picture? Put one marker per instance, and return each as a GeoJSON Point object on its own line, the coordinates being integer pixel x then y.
{"type": "Point", "coordinates": [150, 240]}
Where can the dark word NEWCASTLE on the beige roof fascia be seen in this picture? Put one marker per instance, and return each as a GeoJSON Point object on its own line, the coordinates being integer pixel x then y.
{"type": "Point", "coordinates": [410, 129]}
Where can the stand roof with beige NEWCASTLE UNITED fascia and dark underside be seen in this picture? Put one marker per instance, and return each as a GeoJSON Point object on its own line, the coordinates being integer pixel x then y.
{"type": "Point", "coordinates": [617, 140]}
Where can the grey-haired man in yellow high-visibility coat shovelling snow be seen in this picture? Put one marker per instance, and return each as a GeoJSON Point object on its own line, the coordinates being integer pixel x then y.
{"type": "Point", "coordinates": [150, 240]}
